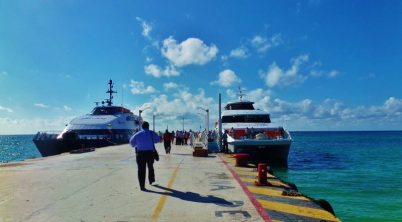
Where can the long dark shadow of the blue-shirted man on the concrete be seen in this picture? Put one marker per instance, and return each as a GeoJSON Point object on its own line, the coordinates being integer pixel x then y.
{"type": "Point", "coordinates": [195, 197]}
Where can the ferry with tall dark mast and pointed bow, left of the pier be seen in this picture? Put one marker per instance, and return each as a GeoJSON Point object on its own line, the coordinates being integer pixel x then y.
{"type": "Point", "coordinates": [106, 125]}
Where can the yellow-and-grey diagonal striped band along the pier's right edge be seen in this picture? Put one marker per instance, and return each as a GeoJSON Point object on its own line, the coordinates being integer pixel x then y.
{"type": "Point", "coordinates": [278, 206]}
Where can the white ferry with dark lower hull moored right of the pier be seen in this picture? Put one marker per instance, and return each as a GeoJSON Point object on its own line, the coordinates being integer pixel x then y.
{"type": "Point", "coordinates": [250, 131]}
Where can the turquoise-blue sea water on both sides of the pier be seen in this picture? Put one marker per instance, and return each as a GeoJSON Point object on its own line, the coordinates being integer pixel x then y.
{"type": "Point", "coordinates": [359, 173]}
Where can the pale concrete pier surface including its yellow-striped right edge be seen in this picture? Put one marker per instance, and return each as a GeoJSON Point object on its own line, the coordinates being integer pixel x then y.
{"type": "Point", "coordinates": [103, 186]}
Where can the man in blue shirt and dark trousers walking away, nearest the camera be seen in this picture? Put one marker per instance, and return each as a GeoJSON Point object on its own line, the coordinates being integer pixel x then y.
{"type": "Point", "coordinates": [144, 144]}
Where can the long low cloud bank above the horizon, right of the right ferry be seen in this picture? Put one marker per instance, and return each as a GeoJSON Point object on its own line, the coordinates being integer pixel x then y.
{"type": "Point", "coordinates": [331, 114]}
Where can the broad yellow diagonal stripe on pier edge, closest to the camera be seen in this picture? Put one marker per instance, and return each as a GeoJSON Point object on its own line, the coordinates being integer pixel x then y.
{"type": "Point", "coordinates": [298, 210]}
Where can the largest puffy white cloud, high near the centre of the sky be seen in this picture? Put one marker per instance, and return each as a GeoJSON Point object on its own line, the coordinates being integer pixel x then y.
{"type": "Point", "coordinates": [190, 51]}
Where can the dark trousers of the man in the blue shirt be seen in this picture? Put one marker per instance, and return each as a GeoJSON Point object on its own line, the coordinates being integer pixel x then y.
{"type": "Point", "coordinates": [145, 158]}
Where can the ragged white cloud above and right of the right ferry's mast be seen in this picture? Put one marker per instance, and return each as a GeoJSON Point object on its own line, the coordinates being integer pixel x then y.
{"type": "Point", "coordinates": [276, 76]}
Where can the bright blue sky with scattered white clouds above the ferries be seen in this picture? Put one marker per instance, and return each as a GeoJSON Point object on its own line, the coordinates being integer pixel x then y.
{"type": "Point", "coordinates": [313, 65]}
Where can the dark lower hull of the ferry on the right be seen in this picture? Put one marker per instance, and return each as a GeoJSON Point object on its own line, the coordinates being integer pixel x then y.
{"type": "Point", "coordinates": [271, 152]}
